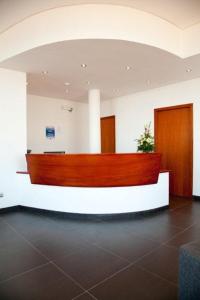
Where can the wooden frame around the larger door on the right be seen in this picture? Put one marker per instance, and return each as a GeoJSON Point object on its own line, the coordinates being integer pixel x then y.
{"type": "Point", "coordinates": [188, 105]}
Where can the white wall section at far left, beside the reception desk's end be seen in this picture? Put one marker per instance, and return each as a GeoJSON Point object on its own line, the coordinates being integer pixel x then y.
{"type": "Point", "coordinates": [12, 134]}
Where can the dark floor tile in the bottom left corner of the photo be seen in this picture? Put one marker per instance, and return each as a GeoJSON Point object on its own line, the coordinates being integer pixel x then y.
{"type": "Point", "coordinates": [45, 283]}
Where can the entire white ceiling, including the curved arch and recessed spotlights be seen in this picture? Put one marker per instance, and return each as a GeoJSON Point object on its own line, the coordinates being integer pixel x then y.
{"type": "Point", "coordinates": [46, 42]}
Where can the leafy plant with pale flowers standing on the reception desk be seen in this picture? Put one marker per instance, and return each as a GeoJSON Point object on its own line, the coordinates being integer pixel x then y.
{"type": "Point", "coordinates": [146, 141]}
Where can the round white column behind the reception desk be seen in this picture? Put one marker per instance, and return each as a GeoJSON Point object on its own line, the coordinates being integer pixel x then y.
{"type": "Point", "coordinates": [94, 121]}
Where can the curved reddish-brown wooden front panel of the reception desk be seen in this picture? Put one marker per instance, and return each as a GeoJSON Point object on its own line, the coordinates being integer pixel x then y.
{"type": "Point", "coordinates": [94, 170]}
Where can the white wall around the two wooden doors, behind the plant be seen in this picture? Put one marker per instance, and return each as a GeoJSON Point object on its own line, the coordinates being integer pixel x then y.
{"type": "Point", "coordinates": [133, 111]}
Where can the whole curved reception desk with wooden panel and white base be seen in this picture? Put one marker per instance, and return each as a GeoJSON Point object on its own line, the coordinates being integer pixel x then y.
{"type": "Point", "coordinates": [95, 184]}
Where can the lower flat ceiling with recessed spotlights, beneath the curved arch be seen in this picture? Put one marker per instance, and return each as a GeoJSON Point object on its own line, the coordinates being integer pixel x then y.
{"type": "Point", "coordinates": [106, 68]}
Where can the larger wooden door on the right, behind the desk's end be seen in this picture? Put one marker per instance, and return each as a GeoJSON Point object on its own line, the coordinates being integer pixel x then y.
{"type": "Point", "coordinates": [174, 140]}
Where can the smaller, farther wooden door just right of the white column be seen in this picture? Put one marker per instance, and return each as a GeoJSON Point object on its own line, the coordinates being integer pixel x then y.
{"type": "Point", "coordinates": [108, 134]}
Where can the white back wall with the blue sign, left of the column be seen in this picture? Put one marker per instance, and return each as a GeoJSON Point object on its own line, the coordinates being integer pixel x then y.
{"type": "Point", "coordinates": [71, 127]}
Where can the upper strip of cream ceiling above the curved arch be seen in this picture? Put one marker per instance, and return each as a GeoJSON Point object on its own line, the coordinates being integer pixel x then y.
{"type": "Point", "coordinates": [182, 13]}
